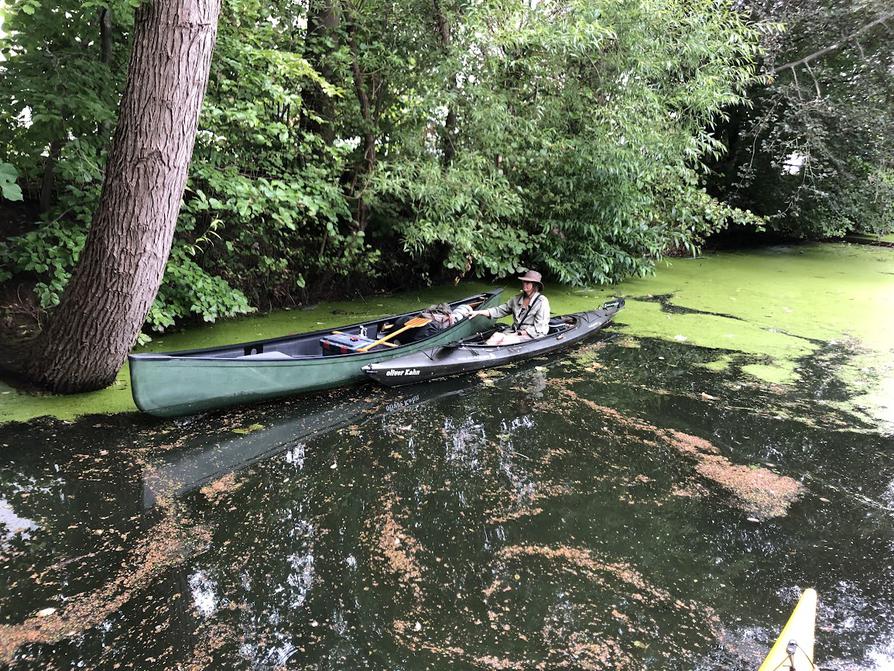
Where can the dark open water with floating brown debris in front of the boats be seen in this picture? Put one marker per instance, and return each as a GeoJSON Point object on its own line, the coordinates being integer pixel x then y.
{"type": "Point", "coordinates": [596, 512]}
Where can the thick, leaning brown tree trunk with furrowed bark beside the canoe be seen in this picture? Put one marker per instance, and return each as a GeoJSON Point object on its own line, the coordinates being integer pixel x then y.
{"type": "Point", "coordinates": [119, 272]}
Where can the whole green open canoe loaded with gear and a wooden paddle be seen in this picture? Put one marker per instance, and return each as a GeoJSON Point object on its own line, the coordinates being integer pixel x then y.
{"type": "Point", "coordinates": [182, 383]}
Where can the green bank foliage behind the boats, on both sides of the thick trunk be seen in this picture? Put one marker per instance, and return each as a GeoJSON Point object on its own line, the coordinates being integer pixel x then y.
{"type": "Point", "coordinates": [391, 142]}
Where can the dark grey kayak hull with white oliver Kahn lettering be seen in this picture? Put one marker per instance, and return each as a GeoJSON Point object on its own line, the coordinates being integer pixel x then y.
{"type": "Point", "coordinates": [447, 361]}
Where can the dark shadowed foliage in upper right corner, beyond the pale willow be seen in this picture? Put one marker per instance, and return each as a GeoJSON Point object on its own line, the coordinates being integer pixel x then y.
{"type": "Point", "coordinates": [813, 153]}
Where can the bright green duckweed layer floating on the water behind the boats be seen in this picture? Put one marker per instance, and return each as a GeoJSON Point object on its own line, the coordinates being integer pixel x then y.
{"type": "Point", "coordinates": [763, 310]}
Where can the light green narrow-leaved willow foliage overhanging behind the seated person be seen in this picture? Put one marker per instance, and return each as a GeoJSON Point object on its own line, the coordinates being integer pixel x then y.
{"type": "Point", "coordinates": [580, 132]}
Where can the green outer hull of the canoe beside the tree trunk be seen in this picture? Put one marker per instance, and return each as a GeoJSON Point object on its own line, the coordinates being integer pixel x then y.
{"type": "Point", "coordinates": [171, 385]}
